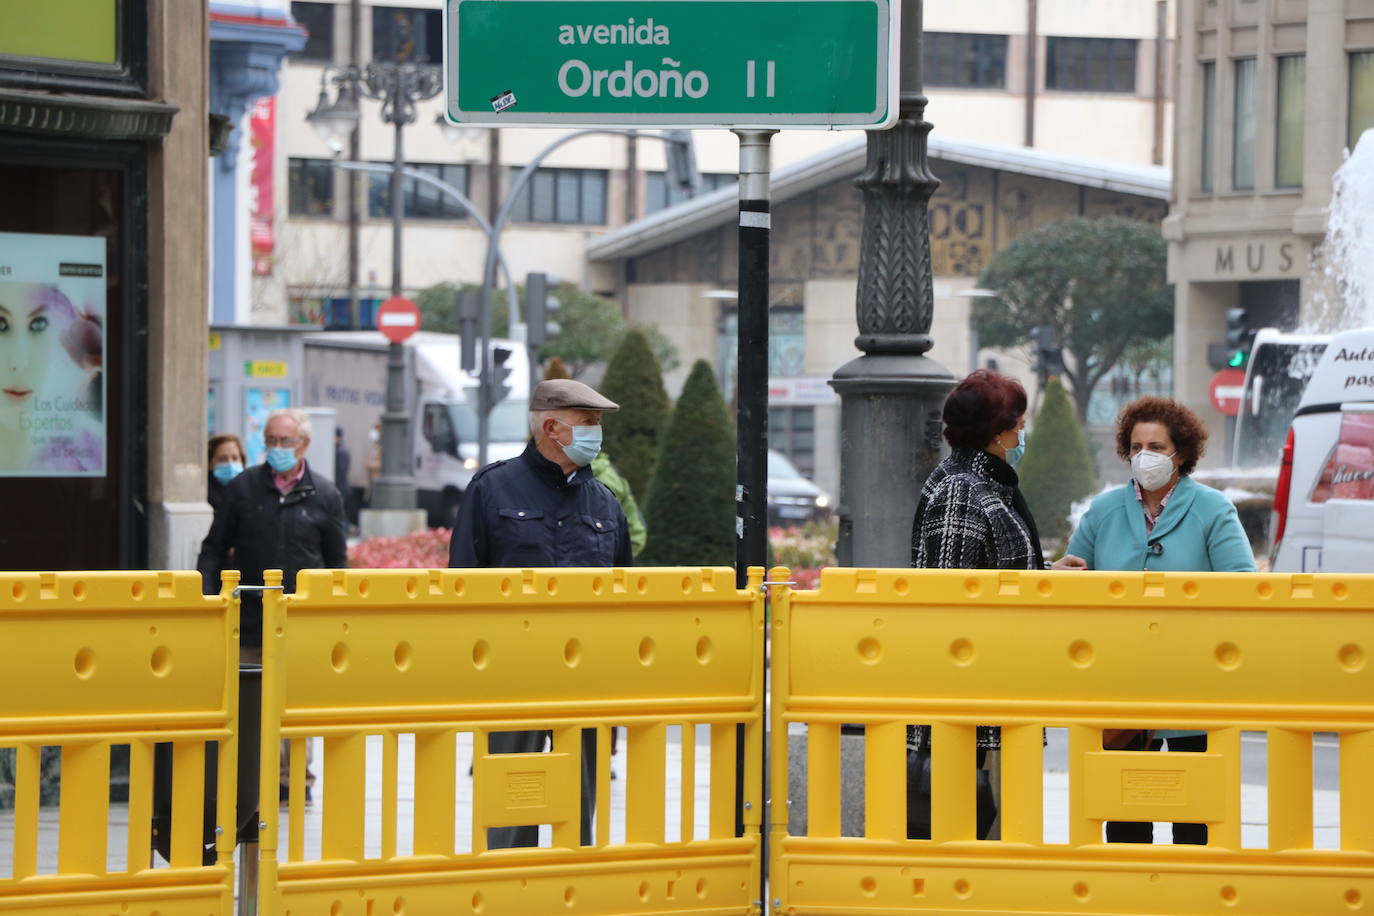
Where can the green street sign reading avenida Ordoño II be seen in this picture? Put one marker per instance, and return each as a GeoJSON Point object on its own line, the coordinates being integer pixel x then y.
{"type": "Point", "coordinates": [673, 64]}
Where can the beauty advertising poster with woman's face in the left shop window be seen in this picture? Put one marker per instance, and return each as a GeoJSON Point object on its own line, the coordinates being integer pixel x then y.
{"type": "Point", "coordinates": [53, 315]}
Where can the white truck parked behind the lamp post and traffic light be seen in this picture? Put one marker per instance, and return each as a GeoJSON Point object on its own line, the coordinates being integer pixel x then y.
{"type": "Point", "coordinates": [347, 371]}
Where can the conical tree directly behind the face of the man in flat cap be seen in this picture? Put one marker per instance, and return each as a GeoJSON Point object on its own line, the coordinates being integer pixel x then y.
{"type": "Point", "coordinates": [634, 432]}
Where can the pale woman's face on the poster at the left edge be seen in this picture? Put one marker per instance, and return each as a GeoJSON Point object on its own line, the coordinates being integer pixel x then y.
{"type": "Point", "coordinates": [31, 351]}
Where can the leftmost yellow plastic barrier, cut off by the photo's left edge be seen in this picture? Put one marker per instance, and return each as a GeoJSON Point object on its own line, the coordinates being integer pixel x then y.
{"type": "Point", "coordinates": [97, 661]}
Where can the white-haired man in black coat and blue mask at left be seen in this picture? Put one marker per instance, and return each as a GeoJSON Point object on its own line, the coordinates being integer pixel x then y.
{"type": "Point", "coordinates": [275, 516]}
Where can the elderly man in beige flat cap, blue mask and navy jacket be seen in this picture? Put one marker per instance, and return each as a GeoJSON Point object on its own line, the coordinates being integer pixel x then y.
{"type": "Point", "coordinates": [546, 509]}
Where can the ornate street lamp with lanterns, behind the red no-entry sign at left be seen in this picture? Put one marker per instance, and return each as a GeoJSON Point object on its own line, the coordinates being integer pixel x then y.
{"type": "Point", "coordinates": [398, 87]}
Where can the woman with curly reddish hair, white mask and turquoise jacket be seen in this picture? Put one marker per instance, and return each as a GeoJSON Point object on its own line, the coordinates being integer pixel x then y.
{"type": "Point", "coordinates": [1163, 520]}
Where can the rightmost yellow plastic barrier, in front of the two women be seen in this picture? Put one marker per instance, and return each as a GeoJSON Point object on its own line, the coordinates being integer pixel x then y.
{"type": "Point", "coordinates": [1281, 656]}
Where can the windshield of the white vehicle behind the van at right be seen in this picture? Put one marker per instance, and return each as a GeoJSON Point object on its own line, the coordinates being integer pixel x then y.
{"type": "Point", "coordinates": [1274, 385]}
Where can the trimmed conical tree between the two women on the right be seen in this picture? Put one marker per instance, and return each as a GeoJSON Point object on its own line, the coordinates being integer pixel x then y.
{"type": "Point", "coordinates": [1057, 469]}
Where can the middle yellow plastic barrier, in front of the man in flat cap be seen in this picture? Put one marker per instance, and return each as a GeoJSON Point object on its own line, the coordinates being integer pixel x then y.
{"type": "Point", "coordinates": [377, 663]}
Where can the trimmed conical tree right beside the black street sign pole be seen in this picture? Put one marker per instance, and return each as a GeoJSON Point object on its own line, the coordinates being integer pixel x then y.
{"type": "Point", "coordinates": [692, 506]}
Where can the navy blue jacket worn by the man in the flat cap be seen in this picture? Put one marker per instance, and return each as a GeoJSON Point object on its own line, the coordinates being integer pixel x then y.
{"type": "Point", "coordinates": [526, 513]}
